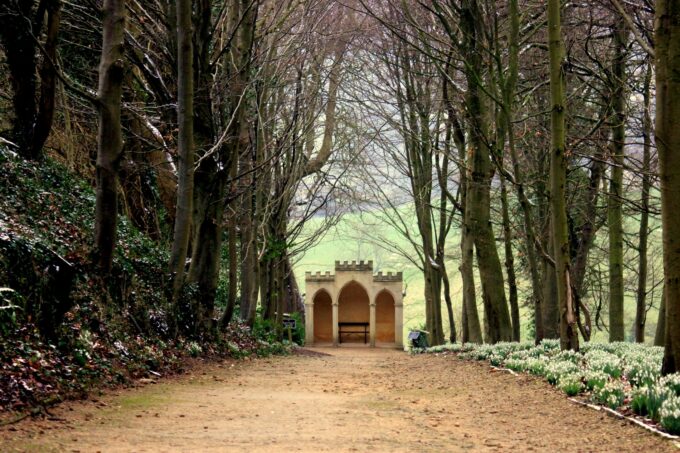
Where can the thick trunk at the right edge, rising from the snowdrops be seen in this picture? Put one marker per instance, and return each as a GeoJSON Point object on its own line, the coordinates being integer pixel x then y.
{"type": "Point", "coordinates": [667, 60]}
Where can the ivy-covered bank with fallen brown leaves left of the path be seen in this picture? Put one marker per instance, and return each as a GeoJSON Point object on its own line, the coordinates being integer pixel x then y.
{"type": "Point", "coordinates": [63, 331]}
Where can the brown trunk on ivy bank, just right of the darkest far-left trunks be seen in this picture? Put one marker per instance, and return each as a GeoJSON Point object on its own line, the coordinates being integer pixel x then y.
{"type": "Point", "coordinates": [110, 139]}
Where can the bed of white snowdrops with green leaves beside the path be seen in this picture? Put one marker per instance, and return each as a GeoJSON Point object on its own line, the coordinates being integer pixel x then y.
{"type": "Point", "coordinates": [616, 374]}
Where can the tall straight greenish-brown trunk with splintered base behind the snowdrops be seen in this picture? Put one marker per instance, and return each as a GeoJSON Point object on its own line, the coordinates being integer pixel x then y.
{"type": "Point", "coordinates": [558, 175]}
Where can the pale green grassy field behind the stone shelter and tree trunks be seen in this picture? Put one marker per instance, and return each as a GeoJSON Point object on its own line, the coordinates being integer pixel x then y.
{"type": "Point", "coordinates": [362, 237]}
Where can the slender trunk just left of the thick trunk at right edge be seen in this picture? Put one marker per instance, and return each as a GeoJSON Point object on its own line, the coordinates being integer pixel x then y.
{"type": "Point", "coordinates": [641, 299]}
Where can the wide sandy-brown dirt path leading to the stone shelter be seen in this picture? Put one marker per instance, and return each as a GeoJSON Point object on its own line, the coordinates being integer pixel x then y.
{"type": "Point", "coordinates": [349, 400]}
